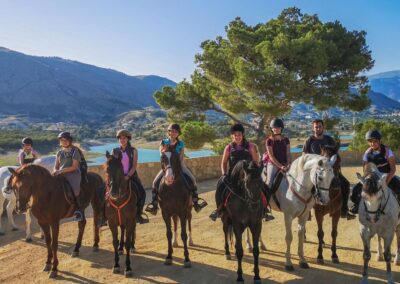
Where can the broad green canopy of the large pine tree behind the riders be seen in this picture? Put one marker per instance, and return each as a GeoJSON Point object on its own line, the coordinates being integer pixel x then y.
{"type": "Point", "coordinates": [255, 71]}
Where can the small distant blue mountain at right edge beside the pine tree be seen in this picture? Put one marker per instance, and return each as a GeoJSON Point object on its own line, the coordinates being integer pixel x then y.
{"type": "Point", "coordinates": [387, 83]}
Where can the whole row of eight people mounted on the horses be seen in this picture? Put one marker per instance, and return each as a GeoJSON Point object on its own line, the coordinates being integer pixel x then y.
{"type": "Point", "coordinates": [71, 164]}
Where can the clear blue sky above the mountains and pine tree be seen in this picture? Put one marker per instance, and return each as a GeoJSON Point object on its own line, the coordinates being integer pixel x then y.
{"type": "Point", "coordinates": [161, 37]}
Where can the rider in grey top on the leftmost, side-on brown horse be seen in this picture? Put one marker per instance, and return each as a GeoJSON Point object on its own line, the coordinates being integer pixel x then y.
{"type": "Point", "coordinates": [67, 164]}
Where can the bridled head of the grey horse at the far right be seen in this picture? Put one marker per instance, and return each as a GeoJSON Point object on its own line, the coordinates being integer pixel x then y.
{"type": "Point", "coordinates": [374, 188]}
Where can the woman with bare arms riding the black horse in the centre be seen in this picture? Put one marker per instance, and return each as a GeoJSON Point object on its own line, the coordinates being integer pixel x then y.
{"type": "Point", "coordinates": [239, 149]}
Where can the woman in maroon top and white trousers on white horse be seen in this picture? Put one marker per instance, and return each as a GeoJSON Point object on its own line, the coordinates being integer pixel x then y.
{"type": "Point", "coordinates": [277, 155]}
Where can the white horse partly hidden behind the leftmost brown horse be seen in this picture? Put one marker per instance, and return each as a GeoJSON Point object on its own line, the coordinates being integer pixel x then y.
{"type": "Point", "coordinates": [48, 163]}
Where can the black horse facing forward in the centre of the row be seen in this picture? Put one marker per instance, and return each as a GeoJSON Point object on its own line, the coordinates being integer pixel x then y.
{"type": "Point", "coordinates": [244, 209]}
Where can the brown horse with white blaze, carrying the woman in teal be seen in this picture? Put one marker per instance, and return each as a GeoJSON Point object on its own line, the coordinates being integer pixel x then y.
{"type": "Point", "coordinates": [174, 199]}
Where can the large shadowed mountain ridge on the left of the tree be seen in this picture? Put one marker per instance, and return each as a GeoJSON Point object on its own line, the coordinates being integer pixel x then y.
{"type": "Point", "coordinates": [55, 89]}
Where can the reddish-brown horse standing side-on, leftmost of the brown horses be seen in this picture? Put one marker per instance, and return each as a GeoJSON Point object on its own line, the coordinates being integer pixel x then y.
{"type": "Point", "coordinates": [51, 203]}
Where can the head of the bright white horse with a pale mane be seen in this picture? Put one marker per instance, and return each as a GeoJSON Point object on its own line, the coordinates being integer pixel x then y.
{"type": "Point", "coordinates": [321, 175]}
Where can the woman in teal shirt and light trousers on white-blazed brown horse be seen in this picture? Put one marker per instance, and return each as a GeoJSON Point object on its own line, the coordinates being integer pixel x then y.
{"type": "Point", "coordinates": [172, 143]}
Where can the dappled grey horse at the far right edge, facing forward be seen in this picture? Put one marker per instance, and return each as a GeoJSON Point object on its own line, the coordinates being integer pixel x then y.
{"type": "Point", "coordinates": [378, 214]}
